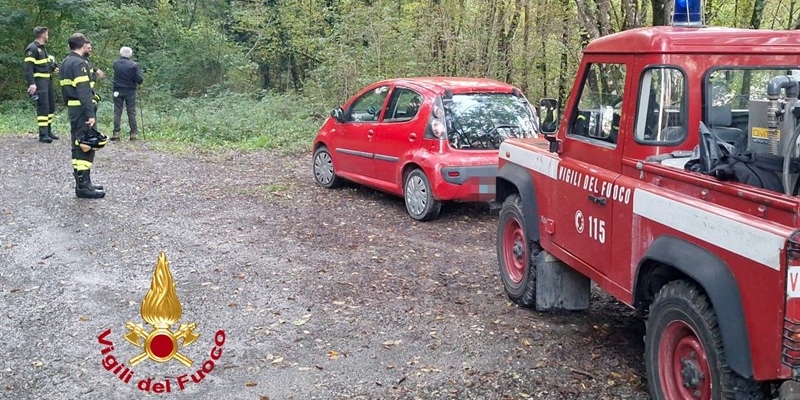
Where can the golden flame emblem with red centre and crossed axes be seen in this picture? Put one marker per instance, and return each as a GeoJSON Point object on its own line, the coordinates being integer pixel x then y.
{"type": "Point", "coordinates": [161, 309]}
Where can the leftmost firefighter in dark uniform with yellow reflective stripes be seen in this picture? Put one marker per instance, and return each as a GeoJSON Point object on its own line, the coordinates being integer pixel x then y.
{"type": "Point", "coordinates": [39, 70]}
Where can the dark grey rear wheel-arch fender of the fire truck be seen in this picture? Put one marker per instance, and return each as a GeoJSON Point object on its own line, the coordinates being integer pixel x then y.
{"type": "Point", "coordinates": [716, 279]}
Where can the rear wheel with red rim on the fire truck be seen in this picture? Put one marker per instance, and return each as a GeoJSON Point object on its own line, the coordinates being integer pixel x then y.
{"type": "Point", "coordinates": [684, 355]}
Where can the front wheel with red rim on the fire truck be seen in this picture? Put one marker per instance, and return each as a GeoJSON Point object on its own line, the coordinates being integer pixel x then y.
{"type": "Point", "coordinates": [514, 256]}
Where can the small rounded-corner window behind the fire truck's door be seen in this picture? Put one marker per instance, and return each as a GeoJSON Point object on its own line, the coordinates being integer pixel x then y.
{"type": "Point", "coordinates": [661, 112]}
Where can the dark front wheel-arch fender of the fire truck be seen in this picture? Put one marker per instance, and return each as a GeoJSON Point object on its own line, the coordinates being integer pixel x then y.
{"type": "Point", "coordinates": [514, 178]}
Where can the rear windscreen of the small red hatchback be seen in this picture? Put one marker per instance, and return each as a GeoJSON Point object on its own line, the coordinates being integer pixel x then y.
{"type": "Point", "coordinates": [482, 121]}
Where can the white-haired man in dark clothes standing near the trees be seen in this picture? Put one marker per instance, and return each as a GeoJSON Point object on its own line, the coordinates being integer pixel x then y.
{"type": "Point", "coordinates": [127, 75]}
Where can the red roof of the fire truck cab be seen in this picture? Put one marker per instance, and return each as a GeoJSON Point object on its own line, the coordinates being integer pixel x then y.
{"type": "Point", "coordinates": [708, 40]}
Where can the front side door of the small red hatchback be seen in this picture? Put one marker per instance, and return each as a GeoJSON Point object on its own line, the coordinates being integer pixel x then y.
{"type": "Point", "coordinates": [353, 141]}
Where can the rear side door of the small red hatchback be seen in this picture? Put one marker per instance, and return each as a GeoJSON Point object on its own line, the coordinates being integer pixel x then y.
{"type": "Point", "coordinates": [399, 134]}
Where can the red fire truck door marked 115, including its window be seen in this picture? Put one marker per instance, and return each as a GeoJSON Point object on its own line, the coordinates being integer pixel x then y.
{"type": "Point", "coordinates": [591, 163]}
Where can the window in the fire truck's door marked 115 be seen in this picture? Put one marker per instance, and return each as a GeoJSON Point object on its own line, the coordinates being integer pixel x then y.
{"type": "Point", "coordinates": [600, 104]}
